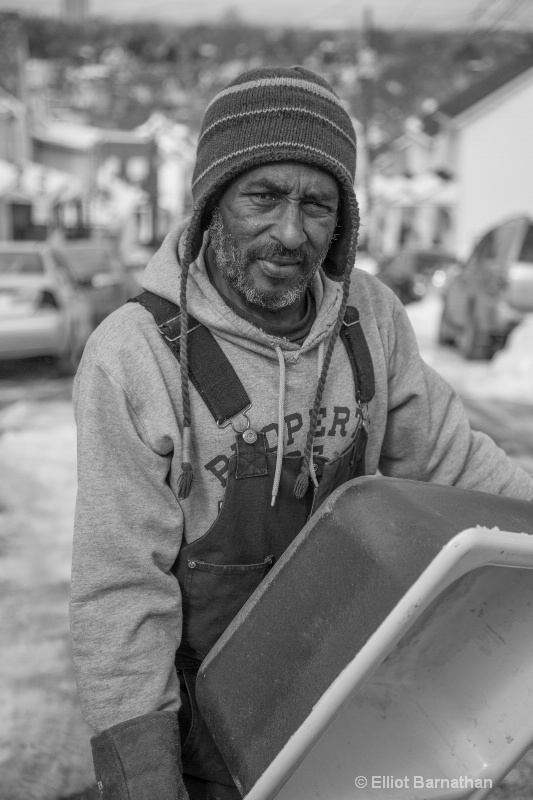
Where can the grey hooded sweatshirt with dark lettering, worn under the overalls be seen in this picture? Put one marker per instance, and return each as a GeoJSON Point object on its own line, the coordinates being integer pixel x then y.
{"type": "Point", "coordinates": [125, 602]}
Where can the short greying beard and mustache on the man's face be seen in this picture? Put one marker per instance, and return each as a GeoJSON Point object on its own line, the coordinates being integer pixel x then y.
{"type": "Point", "coordinates": [234, 266]}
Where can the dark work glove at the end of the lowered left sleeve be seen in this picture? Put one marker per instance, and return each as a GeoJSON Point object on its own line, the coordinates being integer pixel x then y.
{"type": "Point", "coordinates": [140, 759]}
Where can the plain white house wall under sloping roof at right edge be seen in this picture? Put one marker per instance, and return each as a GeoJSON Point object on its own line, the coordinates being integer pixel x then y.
{"type": "Point", "coordinates": [494, 164]}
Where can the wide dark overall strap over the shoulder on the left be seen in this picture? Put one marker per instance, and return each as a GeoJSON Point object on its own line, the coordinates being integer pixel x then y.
{"type": "Point", "coordinates": [209, 369]}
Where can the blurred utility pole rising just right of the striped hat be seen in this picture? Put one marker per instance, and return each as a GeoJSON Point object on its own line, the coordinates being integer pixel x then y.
{"type": "Point", "coordinates": [367, 76]}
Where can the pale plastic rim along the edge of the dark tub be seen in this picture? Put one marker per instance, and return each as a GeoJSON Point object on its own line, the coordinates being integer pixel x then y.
{"type": "Point", "coordinates": [469, 550]}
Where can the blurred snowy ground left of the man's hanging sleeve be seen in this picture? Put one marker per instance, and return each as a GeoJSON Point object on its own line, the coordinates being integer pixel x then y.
{"type": "Point", "coordinates": [44, 743]}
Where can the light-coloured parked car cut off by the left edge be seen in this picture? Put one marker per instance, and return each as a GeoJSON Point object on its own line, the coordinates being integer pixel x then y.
{"type": "Point", "coordinates": [42, 311]}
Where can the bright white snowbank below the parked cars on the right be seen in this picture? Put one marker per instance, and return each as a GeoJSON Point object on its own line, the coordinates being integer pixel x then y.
{"type": "Point", "coordinates": [508, 376]}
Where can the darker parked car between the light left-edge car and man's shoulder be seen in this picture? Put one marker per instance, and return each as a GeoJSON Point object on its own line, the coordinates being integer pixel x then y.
{"type": "Point", "coordinates": [101, 275]}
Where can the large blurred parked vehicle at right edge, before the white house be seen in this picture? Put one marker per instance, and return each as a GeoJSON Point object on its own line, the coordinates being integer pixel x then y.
{"type": "Point", "coordinates": [489, 296]}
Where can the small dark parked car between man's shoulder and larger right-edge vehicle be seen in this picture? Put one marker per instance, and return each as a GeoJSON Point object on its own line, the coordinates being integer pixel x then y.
{"type": "Point", "coordinates": [410, 272]}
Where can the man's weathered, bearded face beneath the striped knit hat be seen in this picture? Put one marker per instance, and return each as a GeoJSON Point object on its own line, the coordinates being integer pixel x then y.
{"type": "Point", "coordinates": [272, 230]}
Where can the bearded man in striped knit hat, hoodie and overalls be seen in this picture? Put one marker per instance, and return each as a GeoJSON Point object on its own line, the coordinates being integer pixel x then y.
{"type": "Point", "coordinates": [295, 374]}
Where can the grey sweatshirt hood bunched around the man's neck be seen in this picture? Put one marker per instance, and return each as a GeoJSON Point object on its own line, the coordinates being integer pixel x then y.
{"type": "Point", "coordinates": [162, 277]}
